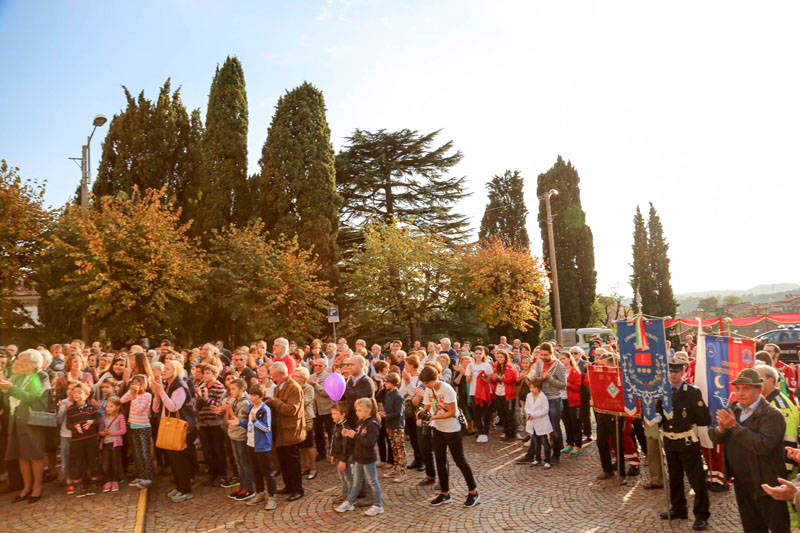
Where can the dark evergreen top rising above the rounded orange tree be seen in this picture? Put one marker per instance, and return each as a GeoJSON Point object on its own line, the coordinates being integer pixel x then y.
{"type": "Point", "coordinates": [505, 213]}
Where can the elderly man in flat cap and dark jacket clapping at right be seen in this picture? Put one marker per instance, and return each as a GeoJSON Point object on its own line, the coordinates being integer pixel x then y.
{"type": "Point", "coordinates": [753, 432]}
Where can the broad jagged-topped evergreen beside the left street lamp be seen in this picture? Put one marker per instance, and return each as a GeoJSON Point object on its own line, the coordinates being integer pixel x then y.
{"type": "Point", "coordinates": [151, 145]}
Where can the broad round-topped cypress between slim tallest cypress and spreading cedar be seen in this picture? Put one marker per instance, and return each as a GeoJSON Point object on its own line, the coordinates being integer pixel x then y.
{"type": "Point", "coordinates": [297, 184]}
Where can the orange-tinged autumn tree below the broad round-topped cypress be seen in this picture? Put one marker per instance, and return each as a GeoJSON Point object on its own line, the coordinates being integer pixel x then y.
{"type": "Point", "coordinates": [270, 288]}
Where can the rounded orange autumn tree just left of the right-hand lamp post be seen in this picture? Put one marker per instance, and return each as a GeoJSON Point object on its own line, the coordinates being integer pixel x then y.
{"type": "Point", "coordinates": [503, 284]}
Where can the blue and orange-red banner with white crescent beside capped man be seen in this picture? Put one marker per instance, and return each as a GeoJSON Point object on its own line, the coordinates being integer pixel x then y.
{"type": "Point", "coordinates": [725, 358]}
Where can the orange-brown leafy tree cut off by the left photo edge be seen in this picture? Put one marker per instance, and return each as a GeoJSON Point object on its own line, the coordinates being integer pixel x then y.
{"type": "Point", "coordinates": [24, 225]}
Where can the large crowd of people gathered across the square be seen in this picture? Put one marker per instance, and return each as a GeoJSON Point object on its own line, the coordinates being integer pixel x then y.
{"type": "Point", "coordinates": [90, 417]}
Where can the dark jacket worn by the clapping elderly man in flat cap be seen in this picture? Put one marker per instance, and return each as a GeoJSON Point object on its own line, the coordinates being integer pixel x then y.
{"type": "Point", "coordinates": [754, 448]}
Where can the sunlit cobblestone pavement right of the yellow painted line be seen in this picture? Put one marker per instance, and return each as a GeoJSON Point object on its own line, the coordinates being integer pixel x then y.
{"type": "Point", "coordinates": [513, 498]}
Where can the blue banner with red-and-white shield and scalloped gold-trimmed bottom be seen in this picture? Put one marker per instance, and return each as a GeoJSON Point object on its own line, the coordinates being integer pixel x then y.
{"type": "Point", "coordinates": [645, 378]}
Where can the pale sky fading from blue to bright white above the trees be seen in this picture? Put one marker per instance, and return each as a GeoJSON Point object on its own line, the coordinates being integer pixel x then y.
{"type": "Point", "coordinates": [691, 105]}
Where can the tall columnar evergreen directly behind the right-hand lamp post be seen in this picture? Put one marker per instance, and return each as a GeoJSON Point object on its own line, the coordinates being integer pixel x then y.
{"type": "Point", "coordinates": [573, 241]}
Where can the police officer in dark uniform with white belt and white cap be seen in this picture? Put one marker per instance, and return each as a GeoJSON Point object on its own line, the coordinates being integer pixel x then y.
{"type": "Point", "coordinates": [682, 446]}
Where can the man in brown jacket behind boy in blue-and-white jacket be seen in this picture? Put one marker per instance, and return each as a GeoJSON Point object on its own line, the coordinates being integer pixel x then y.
{"type": "Point", "coordinates": [288, 424]}
